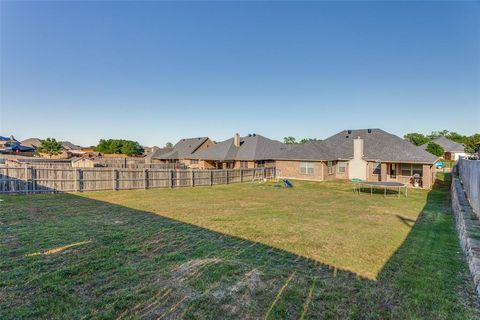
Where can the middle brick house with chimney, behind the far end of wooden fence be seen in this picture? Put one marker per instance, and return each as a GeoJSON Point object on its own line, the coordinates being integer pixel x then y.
{"type": "Point", "coordinates": [252, 151]}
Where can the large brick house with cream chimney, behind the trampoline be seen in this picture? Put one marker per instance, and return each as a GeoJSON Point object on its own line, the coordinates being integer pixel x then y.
{"type": "Point", "coordinates": [368, 154]}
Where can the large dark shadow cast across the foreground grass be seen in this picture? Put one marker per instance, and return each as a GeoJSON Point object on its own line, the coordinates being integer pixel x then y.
{"type": "Point", "coordinates": [144, 265]}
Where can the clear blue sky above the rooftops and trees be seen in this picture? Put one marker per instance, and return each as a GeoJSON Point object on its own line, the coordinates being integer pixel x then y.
{"type": "Point", "coordinates": [155, 72]}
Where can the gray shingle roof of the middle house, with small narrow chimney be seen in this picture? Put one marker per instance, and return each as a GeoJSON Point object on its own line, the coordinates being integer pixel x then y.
{"type": "Point", "coordinates": [252, 148]}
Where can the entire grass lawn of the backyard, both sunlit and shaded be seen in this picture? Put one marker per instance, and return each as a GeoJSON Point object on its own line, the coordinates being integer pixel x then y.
{"type": "Point", "coordinates": [234, 251]}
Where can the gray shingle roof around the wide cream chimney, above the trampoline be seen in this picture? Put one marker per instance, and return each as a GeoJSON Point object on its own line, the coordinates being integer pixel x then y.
{"type": "Point", "coordinates": [378, 145]}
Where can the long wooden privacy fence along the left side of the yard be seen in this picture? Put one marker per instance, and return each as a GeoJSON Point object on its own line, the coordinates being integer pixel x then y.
{"type": "Point", "coordinates": [43, 180]}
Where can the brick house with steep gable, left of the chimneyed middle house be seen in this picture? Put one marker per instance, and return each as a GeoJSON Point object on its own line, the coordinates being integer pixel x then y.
{"type": "Point", "coordinates": [183, 150]}
